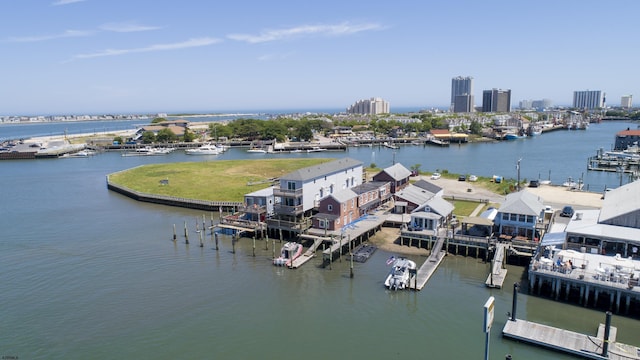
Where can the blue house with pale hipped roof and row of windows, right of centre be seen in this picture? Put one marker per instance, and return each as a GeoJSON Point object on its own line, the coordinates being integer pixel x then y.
{"type": "Point", "coordinates": [519, 215]}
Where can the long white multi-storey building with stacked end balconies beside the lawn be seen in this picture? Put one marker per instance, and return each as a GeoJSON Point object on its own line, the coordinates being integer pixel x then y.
{"type": "Point", "coordinates": [298, 194]}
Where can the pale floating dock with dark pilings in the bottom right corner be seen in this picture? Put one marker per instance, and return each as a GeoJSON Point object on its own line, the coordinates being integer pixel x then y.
{"type": "Point", "coordinates": [586, 346]}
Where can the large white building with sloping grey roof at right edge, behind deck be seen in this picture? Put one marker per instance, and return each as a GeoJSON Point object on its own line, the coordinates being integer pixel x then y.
{"type": "Point", "coordinates": [614, 229]}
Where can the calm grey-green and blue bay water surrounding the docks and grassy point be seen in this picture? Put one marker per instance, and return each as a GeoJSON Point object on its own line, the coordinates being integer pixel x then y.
{"type": "Point", "coordinates": [87, 273]}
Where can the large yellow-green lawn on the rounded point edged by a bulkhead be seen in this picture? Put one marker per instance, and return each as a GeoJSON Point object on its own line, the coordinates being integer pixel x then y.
{"type": "Point", "coordinates": [212, 180]}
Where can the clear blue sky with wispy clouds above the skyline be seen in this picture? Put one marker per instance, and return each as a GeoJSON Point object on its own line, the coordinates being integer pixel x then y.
{"type": "Point", "coordinates": [148, 56]}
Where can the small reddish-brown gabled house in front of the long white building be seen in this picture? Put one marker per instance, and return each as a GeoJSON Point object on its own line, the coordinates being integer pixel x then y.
{"type": "Point", "coordinates": [336, 210]}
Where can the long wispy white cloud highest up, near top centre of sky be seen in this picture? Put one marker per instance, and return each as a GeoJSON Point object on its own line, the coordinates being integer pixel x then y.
{"type": "Point", "coordinates": [305, 30]}
